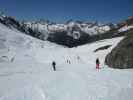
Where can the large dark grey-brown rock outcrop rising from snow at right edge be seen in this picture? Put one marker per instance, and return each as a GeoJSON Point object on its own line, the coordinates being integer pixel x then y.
{"type": "Point", "coordinates": [122, 55]}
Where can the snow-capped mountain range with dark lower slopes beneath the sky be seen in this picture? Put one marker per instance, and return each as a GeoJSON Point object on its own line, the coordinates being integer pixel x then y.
{"type": "Point", "coordinates": [70, 34]}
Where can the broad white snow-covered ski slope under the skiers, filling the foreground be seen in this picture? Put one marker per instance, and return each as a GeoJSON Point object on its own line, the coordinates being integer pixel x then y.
{"type": "Point", "coordinates": [26, 71]}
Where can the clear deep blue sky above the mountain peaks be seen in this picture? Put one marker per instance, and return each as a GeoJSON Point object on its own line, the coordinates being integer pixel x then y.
{"type": "Point", "coordinates": [63, 10]}
